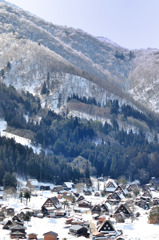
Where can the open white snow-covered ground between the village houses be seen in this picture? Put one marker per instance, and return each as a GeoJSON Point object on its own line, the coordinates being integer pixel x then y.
{"type": "Point", "coordinates": [138, 229]}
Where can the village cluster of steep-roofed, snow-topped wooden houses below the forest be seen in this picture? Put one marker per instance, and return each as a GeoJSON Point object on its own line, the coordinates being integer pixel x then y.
{"type": "Point", "coordinates": [117, 205]}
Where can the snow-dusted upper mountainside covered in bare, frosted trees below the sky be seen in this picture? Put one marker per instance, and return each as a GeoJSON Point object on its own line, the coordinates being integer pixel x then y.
{"type": "Point", "coordinates": [34, 52]}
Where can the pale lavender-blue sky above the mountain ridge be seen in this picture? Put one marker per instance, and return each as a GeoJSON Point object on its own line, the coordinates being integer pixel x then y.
{"type": "Point", "coordinates": [130, 23]}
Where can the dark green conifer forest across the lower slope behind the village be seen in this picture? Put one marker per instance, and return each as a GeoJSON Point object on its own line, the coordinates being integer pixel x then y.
{"type": "Point", "coordinates": [110, 151]}
